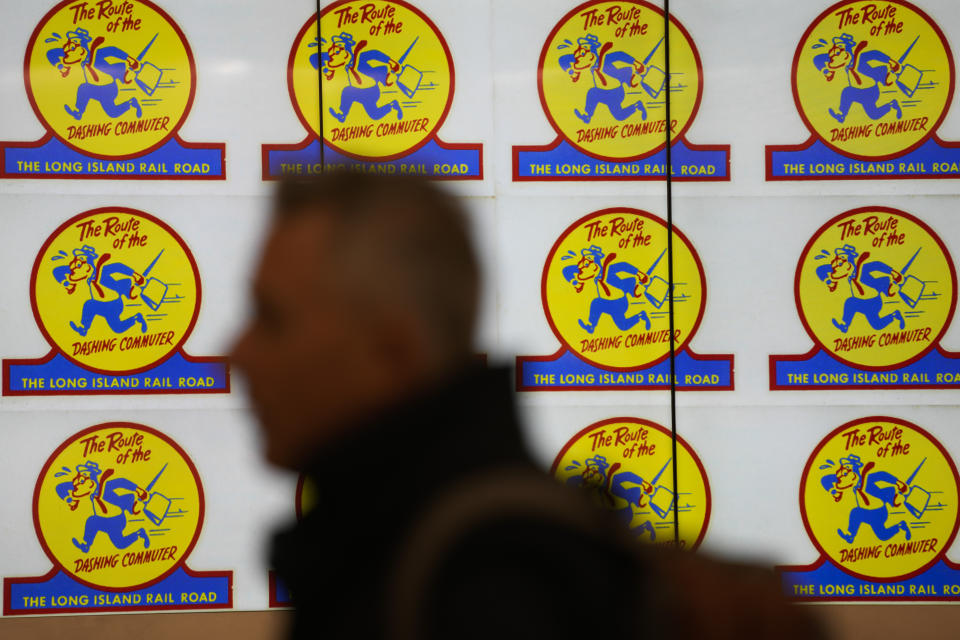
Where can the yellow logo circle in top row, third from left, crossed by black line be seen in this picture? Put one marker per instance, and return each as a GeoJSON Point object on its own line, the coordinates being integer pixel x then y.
{"type": "Point", "coordinates": [603, 80]}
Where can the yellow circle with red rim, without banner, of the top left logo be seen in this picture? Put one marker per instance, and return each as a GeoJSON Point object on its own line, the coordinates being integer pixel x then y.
{"type": "Point", "coordinates": [110, 79]}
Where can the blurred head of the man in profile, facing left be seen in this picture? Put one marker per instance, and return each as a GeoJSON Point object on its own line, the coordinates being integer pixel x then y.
{"type": "Point", "coordinates": [366, 293]}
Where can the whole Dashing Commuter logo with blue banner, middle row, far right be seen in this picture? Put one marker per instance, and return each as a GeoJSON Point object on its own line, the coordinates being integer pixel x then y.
{"type": "Point", "coordinates": [876, 289]}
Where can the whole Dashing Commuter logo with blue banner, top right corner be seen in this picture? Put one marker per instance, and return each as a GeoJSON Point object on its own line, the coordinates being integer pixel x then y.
{"type": "Point", "coordinates": [872, 82]}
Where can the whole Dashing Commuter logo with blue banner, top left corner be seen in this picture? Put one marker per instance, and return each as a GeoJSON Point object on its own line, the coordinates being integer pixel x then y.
{"type": "Point", "coordinates": [112, 82]}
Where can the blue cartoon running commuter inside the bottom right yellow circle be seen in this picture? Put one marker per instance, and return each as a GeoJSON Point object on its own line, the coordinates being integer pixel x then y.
{"type": "Point", "coordinates": [873, 492]}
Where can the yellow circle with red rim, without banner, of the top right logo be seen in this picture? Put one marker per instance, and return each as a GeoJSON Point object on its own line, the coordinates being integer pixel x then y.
{"type": "Point", "coordinates": [873, 80]}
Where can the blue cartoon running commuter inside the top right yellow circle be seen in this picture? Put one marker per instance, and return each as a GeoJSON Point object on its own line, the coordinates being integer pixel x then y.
{"type": "Point", "coordinates": [866, 71]}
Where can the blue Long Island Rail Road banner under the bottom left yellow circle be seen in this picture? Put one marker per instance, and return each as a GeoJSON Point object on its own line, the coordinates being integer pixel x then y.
{"type": "Point", "coordinates": [62, 594]}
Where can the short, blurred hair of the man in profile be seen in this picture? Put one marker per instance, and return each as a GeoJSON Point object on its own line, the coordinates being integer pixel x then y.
{"type": "Point", "coordinates": [403, 241]}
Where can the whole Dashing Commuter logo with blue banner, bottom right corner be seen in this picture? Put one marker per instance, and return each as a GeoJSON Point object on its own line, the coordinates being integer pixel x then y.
{"type": "Point", "coordinates": [879, 501]}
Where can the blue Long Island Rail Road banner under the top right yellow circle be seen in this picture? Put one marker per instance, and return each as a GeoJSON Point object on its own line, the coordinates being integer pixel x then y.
{"type": "Point", "coordinates": [932, 159]}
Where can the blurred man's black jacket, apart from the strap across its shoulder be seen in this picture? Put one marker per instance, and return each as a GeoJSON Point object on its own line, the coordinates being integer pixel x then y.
{"type": "Point", "coordinates": [511, 577]}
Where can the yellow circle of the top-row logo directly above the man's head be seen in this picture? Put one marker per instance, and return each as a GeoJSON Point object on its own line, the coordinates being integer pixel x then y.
{"type": "Point", "coordinates": [387, 78]}
